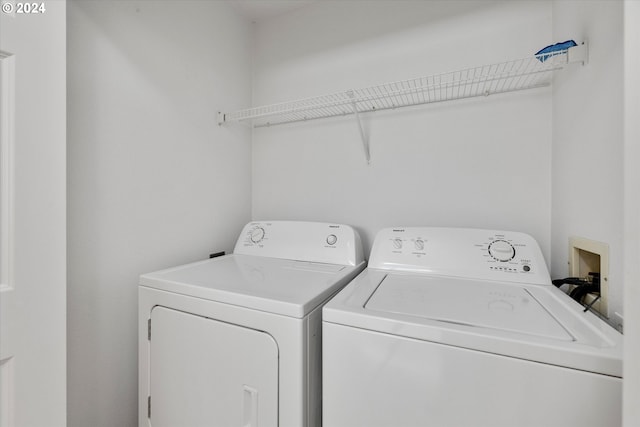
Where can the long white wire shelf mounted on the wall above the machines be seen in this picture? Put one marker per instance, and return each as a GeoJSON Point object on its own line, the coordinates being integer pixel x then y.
{"type": "Point", "coordinates": [521, 74]}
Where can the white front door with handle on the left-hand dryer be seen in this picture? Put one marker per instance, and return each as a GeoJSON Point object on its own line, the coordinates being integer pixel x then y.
{"type": "Point", "coordinates": [204, 372]}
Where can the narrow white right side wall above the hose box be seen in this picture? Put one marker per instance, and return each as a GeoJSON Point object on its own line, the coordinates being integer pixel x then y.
{"type": "Point", "coordinates": [588, 179]}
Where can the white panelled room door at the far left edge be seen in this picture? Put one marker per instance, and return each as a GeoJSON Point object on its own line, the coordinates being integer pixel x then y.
{"type": "Point", "coordinates": [32, 215]}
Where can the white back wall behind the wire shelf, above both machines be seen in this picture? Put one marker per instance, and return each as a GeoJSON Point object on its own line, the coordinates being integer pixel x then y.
{"type": "Point", "coordinates": [484, 162]}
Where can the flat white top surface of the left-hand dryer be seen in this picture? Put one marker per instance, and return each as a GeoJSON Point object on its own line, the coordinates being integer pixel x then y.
{"type": "Point", "coordinates": [279, 286]}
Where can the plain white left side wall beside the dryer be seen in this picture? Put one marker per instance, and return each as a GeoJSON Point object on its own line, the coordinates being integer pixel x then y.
{"type": "Point", "coordinates": [153, 180]}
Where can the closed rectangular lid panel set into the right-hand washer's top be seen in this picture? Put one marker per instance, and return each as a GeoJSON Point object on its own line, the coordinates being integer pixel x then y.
{"type": "Point", "coordinates": [498, 306]}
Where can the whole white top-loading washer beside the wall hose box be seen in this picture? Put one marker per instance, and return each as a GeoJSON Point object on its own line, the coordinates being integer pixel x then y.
{"type": "Point", "coordinates": [462, 327]}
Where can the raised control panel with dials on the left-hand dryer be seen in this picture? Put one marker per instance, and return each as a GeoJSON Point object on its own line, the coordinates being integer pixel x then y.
{"type": "Point", "coordinates": [301, 241]}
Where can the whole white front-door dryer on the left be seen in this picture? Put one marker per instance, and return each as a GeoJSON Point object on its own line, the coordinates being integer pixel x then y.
{"type": "Point", "coordinates": [236, 340]}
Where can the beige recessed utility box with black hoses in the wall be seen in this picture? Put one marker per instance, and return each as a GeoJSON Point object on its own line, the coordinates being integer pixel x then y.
{"type": "Point", "coordinates": [589, 256]}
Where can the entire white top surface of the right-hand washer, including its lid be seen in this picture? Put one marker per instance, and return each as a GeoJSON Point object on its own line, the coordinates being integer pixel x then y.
{"type": "Point", "coordinates": [549, 328]}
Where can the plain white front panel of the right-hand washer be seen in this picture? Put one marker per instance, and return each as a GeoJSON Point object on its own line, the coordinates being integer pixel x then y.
{"type": "Point", "coordinates": [372, 379]}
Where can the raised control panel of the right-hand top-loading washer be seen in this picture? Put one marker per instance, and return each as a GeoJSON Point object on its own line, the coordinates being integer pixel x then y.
{"type": "Point", "coordinates": [461, 252]}
